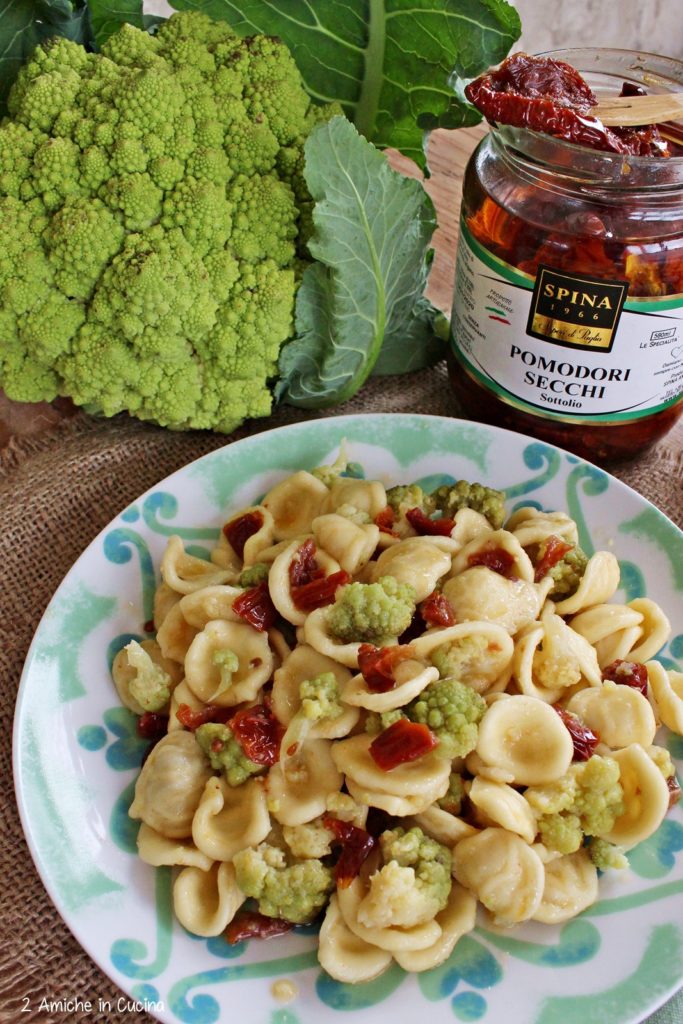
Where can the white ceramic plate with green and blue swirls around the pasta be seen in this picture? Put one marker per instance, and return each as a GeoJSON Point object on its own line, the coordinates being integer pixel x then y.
{"type": "Point", "coordinates": [76, 758]}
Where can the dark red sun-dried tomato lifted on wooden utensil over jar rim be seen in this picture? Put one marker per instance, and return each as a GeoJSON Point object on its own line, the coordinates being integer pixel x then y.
{"type": "Point", "coordinates": [550, 97]}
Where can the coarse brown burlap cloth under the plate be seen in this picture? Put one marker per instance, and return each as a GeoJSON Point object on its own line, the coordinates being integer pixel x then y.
{"type": "Point", "coordinates": [57, 493]}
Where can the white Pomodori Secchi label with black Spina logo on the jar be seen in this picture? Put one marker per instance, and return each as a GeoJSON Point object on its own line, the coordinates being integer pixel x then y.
{"type": "Point", "coordinates": [565, 346]}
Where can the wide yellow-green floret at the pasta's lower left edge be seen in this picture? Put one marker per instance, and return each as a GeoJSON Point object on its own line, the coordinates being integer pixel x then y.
{"type": "Point", "coordinates": [293, 891]}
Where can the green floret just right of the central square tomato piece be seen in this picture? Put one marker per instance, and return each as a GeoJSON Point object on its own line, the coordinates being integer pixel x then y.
{"type": "Point", "coordinates": [453, 712]}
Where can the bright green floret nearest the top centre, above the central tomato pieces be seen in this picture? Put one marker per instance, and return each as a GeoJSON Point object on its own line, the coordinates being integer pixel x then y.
{"type": "Point", "coordinates": [372, 613]}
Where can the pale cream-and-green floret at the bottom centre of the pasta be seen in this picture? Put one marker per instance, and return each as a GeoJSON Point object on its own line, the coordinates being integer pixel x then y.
{"type": "Point", "coordinates": [413, 884]}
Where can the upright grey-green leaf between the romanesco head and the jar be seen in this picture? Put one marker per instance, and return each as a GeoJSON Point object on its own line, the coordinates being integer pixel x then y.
{"type": "Point", "coordinates": [371, 243]}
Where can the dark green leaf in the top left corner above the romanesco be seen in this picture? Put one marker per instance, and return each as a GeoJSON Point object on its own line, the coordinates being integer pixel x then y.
{"type": "Point", "coordinates": [24, 24]}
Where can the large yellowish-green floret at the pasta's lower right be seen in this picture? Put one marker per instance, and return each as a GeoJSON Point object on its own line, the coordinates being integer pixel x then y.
{"type": "Point", "coordinates": [585, 802]}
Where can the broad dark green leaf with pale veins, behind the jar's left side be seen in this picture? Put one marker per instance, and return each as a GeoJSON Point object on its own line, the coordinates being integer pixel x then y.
{"type": "Point", "coordinates": [389, 62]}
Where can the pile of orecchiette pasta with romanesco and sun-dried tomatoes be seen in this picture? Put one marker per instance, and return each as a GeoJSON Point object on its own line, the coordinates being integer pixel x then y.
{"type": "Point", "coordinates": [387, 707]}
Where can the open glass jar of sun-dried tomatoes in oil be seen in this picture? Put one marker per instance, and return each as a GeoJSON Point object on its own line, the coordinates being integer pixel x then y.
{"type": "Point", "coordinates": [568, 317]}
